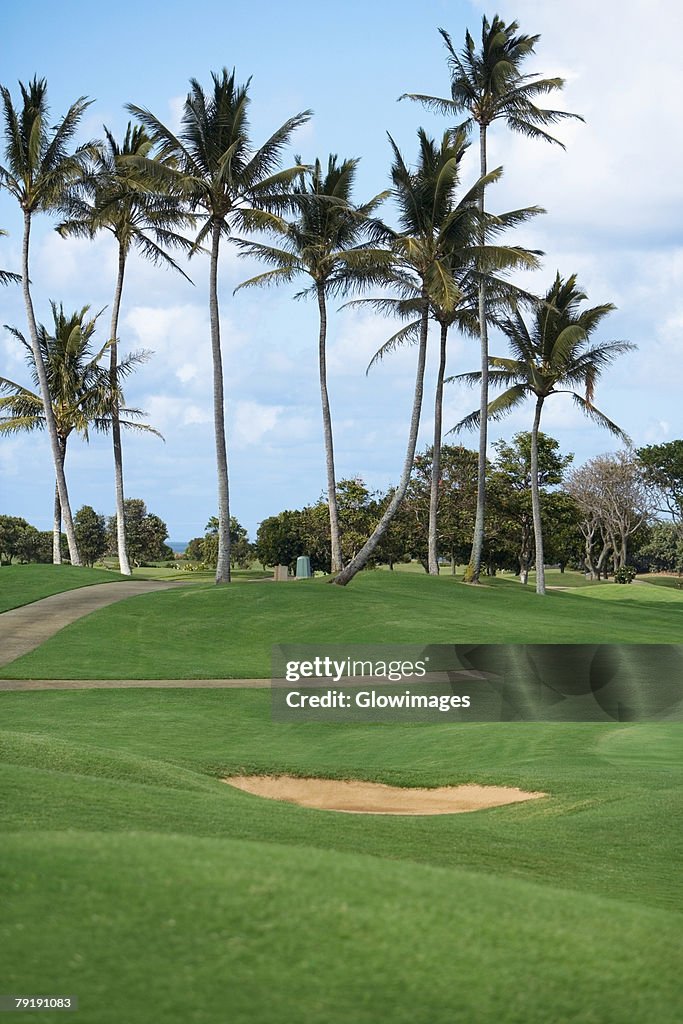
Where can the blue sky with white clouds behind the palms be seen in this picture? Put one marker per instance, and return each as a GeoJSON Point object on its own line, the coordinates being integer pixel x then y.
{"type": "Point", "coordinates": [615, 216]}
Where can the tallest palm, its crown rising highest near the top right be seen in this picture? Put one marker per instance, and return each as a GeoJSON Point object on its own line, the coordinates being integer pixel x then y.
{"type": "Point", "coordinates": [490, 87]}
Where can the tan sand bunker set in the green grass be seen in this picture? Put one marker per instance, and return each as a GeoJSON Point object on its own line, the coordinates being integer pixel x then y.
{"type": "Point", "coordinates": [374, 798]}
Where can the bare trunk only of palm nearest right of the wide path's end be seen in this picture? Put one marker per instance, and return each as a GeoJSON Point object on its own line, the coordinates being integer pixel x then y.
{"type": "Point", "coordinates": [224, 564]}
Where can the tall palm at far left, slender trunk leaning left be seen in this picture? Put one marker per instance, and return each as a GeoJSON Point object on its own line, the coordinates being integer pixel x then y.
{"type": "Point", "coordinates": [40, 168]}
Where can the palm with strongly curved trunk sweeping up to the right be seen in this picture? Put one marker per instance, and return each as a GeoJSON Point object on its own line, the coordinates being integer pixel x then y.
{"type": "Point", "coordinates": [431, 225]}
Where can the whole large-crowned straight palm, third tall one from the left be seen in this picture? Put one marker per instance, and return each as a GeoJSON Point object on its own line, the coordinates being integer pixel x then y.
{"type": "Point", "coordinates": [228, 183]}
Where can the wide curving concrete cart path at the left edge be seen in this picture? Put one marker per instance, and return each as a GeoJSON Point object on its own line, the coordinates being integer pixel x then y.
{"type": "Point", "coordinates": [25, 629]}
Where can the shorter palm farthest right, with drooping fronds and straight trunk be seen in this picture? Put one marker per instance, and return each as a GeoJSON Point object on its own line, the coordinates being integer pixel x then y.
{"type": "Point", "coordinates": [554, 356]}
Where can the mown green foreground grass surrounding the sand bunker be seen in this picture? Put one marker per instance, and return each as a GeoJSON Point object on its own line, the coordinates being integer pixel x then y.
{"type": "Point", "coordinates": [139, 881]}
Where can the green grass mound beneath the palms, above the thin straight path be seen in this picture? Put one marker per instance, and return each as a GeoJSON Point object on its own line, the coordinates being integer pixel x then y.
{"type": "Point", "coordinates": [228, 632]}
